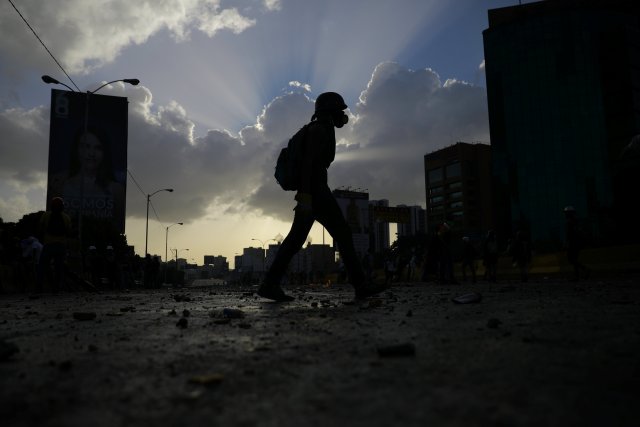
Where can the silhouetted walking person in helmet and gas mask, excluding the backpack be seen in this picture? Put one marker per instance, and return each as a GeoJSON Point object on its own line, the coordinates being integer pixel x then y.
{"type": "Point", "coordinates": [316, 203]}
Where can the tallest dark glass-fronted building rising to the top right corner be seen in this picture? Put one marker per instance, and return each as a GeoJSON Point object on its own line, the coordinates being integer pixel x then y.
{"type": "Point", "coordinates": [563, 87]}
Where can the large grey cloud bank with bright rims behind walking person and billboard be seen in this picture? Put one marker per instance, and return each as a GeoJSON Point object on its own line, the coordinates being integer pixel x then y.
{"type": "Point", "coordinates": [402, 115]}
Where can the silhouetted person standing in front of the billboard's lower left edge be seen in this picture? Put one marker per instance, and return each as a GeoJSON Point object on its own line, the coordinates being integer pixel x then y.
{"type": "Point", "coordinates": [55, 226]}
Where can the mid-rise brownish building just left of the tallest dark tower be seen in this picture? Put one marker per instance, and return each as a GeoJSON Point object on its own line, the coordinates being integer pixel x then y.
{"type": "Point", "coordinates": [458, 186]}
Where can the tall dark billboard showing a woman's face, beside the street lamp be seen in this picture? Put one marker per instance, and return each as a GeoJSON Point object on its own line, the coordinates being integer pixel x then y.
{"type": "Point", "coordinates": [88, 155]}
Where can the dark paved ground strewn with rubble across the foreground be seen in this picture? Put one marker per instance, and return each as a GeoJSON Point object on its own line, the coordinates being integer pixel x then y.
{"type": "Point", "coordinates": [542, 353]}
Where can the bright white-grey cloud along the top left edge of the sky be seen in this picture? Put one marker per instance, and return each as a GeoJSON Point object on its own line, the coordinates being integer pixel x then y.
{"type": "Point", "coordinates": [84, 36]}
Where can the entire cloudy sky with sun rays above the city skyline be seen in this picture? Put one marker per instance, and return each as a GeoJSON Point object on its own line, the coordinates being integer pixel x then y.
{"type": "Point", "coordinates": [224, 85]}
